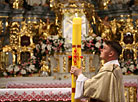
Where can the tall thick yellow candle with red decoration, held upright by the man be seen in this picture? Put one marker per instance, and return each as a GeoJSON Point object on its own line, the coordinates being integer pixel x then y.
{"type": "Point", "coordinates": [76, 51]}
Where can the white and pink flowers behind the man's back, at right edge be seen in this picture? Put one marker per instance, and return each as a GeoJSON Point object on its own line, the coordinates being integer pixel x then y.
{"type": "Point", "coordinates": [129, 66]}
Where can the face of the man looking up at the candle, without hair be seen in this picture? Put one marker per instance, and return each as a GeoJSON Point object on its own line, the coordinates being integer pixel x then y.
{"type": "Point", "coordinates": [105, 52]}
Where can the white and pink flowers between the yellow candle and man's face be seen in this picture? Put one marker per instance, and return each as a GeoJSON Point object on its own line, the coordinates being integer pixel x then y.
{"type": "Point", "coordinates": [92, 44]}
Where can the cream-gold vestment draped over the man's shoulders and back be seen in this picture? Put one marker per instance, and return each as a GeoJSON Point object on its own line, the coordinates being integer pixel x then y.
{"type": "Point", "coordinates": [106, 86]}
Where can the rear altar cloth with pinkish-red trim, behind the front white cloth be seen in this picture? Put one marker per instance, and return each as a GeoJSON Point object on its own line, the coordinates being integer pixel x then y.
{"type": "Point", "coordinates": [40, 84]}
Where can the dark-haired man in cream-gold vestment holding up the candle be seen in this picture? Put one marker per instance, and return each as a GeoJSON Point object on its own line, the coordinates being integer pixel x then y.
{"type": "Point", "coordinates": [107, 85]}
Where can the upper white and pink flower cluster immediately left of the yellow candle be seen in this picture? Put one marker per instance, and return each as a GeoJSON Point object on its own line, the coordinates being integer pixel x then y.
{"type": "Point", "coordinates": [52, 44]}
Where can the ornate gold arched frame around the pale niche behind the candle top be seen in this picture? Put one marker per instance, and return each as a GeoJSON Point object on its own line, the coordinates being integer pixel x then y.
{"type": "Point", "coordinates": [72, 7]}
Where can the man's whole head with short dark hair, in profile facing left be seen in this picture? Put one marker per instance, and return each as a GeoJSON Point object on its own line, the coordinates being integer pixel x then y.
{"type": "Point", "coordinates": [111, 50]}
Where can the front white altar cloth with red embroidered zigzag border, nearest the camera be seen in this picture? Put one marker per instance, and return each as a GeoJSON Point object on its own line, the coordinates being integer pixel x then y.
{"type": "Point", "coordinates": [37, 94]}
